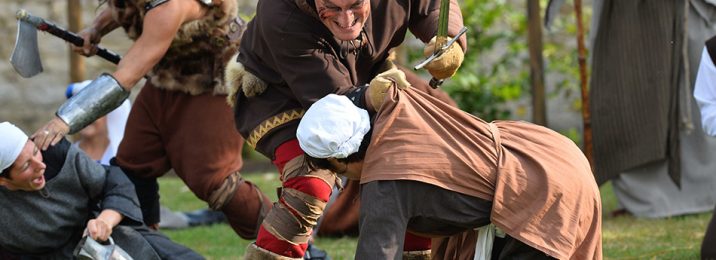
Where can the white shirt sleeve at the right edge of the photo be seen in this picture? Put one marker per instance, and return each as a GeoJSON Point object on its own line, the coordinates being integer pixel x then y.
{"type": "Point", "coordinates": [705, 93]}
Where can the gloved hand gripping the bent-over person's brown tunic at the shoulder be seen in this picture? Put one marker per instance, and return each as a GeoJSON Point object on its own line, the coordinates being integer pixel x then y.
{"type": "Point", "coordinates": [378, 87]}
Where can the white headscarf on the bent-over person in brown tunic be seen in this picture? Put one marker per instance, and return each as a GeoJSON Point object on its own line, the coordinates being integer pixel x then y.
{"type": "Point", "coordinates": [332, 127]}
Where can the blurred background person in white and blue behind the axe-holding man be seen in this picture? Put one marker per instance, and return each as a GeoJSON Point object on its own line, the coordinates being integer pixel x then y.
{"type": "Point", "coordinates": [100, 141]}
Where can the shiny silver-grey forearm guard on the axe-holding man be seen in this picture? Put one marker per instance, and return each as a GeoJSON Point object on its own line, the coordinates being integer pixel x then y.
{"type": "Point", "coordinates": [100, 97]}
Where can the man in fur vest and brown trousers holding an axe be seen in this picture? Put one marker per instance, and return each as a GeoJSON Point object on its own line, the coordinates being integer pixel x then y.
{"type": "Point", "coordinates": [180, 119]}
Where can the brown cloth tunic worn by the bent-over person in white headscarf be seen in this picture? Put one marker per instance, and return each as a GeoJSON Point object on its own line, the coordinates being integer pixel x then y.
{"type": "Point", "coordinates": [540, 183]}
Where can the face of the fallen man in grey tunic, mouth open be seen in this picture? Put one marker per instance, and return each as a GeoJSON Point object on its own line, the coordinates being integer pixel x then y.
{"type": "Point", "coordinates": [27, 173]}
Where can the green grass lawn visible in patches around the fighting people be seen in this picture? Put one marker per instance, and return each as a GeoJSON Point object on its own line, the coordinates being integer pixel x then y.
{"type": "Point", "coordinates": [623, 237]}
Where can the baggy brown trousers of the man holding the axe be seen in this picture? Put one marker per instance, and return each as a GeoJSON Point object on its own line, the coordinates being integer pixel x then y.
{"type": "Point", "coordinates": [195, 136]}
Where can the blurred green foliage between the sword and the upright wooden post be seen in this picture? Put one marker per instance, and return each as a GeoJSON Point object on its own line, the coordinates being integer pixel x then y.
{"type": "Point", "coordinates": [495, 70]}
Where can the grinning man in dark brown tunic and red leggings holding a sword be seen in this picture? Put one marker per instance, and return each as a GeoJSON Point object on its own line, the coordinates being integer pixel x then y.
{"type": "Point", "coordinates": [297, 51]}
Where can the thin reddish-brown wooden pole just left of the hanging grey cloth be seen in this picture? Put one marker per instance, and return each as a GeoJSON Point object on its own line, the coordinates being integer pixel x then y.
{"type": "Point", "coordinates": [583, 77]}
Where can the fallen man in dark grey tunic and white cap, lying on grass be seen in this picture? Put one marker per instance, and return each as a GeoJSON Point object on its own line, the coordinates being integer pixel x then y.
{"type": "Point", "coordinates": [50, 200]}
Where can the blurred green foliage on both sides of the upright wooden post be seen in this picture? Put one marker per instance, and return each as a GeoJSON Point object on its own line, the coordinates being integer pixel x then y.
{"type": "Point", "coordinates": [494, 80]}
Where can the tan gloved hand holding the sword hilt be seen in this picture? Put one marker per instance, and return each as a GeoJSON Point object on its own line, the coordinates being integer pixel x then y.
{"type": "Point", "coordinates": [447, 64]}
